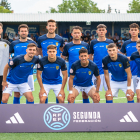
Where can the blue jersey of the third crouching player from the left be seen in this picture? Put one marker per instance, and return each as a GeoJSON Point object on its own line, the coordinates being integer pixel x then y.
{"type": "Point", "coordinates": [83, 75]}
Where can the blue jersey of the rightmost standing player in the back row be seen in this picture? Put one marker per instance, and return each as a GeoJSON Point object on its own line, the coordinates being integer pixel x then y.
{"type": "Point", "coordinates": [129, 47]}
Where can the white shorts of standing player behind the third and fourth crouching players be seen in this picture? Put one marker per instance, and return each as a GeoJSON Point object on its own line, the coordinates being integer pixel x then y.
{"type": "Point", "coordinates": [103, 82]}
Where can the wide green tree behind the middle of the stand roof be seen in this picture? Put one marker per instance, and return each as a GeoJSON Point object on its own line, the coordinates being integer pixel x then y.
{"type": "Point", "coordinates": [77, 6]}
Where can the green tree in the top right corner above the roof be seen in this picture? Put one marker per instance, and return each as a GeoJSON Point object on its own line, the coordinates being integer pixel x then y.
{"type": "Point", "coordinates": [134, 7]}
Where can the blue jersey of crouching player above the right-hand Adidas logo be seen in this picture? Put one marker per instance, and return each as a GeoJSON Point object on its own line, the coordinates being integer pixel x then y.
{"type": "Point", "coordinates": [117, 68]}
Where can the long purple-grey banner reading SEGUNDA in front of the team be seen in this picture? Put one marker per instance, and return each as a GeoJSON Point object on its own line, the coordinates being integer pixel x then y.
{"type": "Point", "coordinates": [69, 117]}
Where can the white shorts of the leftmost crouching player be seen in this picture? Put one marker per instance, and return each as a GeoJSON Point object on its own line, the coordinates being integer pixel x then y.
{"type": "Point", "coordinates": [24, 87]}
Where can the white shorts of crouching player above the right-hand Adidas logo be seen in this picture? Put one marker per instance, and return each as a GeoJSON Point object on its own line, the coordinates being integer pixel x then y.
{"type": "Point", "coordinates": [115, 86]}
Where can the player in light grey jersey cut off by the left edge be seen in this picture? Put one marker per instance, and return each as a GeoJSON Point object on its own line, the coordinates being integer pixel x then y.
{"type": "Point", "coordinates": [4, 57]}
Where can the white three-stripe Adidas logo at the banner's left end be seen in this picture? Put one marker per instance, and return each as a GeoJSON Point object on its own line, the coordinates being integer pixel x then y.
{"type": "Point", "coordinates": [15, 119]}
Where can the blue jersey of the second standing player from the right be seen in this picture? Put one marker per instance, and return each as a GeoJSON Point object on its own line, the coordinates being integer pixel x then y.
{"type": "Point", "coordinates": [99, 49]}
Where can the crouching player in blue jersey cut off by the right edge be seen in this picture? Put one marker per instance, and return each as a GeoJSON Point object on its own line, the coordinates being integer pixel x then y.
{"type": "Point", "coordinates": [135, 56]}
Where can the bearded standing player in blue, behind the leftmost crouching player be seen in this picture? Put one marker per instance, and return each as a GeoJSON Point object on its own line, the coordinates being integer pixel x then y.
{"type": "Point", "coordinates": [19, 47]}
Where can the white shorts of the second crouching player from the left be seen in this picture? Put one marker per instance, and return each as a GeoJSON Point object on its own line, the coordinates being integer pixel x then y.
{"type": "Point", "coordinates": [55, 88]}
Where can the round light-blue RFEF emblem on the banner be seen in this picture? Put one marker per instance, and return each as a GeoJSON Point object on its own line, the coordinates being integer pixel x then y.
{"type": "Point", "coordinates": [57, 117]}
